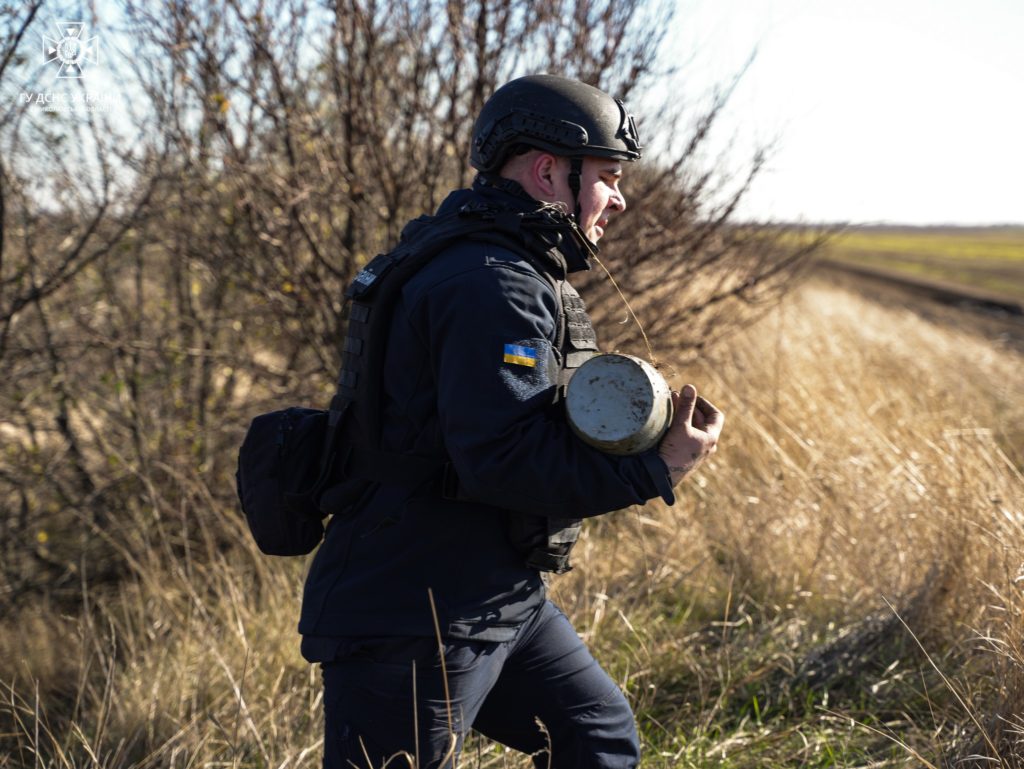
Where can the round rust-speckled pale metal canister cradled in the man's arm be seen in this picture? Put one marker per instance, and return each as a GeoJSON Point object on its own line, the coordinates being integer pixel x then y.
{"type": "Point", "coordinates": [619, 404]}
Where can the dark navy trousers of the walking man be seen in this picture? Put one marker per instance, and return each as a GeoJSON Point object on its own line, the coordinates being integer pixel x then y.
{"type": "Point", "coordinates": [540, 693]}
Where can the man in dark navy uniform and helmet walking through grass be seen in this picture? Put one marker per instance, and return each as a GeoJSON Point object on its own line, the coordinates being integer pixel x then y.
{"type": "Point", "coordinates": [481, 344]}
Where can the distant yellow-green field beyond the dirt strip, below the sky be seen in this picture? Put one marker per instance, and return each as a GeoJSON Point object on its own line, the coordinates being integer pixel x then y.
{"type": "Point", "coordinates": [988, 260]}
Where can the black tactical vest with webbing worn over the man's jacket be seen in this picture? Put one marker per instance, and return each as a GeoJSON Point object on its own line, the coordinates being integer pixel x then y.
{"type": "Point", "coordinates": [354, 439]}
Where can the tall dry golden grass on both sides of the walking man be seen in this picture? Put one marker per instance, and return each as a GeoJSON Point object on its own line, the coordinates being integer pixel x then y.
{"type": "Point", "coordinates": [840, 587]}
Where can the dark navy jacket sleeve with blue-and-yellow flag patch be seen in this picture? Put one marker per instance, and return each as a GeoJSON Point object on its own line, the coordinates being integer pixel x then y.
{"type": "Point", "coordinates": [491, 332]}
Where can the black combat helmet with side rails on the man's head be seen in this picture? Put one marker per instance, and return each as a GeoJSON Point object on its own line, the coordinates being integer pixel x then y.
{"type": "Point", "coordinates": [561, 115]}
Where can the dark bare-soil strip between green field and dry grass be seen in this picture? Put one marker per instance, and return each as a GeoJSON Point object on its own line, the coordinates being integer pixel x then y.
{"type": "Point", "coordinates": [998, 319]}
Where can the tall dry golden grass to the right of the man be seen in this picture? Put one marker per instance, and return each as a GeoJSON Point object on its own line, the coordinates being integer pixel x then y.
{"type": "Point", "coordinates": [871, 456]}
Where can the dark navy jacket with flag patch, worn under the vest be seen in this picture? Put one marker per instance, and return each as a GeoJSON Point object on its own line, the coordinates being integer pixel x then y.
{"type": "Point", "coordinates": [451, 392]}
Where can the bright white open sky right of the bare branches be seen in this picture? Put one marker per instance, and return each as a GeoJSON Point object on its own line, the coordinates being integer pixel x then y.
{"type": "Point", "coordinates": [907, 111]}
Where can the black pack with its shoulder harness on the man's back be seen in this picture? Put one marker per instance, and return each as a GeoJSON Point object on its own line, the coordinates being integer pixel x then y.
{"type": "Point", "coordinates": [290, 457]}
